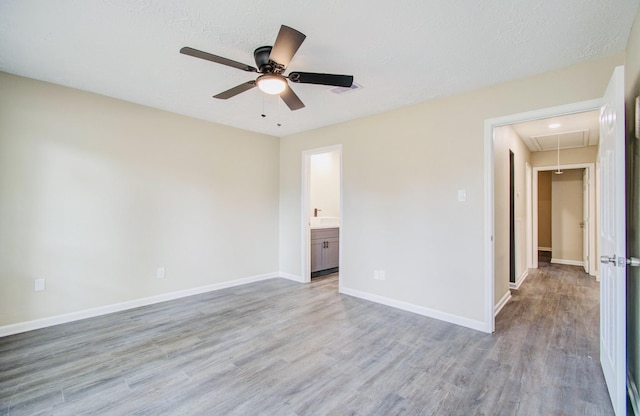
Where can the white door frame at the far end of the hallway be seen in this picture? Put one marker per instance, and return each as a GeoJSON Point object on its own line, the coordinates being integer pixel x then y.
{"type": "Point", "coordinates": [590, 169]}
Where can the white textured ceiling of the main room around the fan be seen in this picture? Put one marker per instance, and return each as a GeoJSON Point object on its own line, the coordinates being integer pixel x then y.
{"type": "Point", "coordinates": [401, 53]}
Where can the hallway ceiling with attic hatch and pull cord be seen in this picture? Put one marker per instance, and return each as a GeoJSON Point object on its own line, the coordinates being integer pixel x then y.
{"type": "Point", "coordinates": [575, 130]}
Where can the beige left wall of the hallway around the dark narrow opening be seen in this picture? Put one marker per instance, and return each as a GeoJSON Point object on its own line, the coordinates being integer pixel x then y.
{"type": "Point", "coordinates": [505, 139]}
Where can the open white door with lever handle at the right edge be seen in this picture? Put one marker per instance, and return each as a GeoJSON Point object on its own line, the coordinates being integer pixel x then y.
{"type": "Point", "coordinates": [612, 242]}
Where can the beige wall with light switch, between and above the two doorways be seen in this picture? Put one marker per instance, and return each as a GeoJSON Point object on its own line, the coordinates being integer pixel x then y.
{"type": "Point", "coordinates": [401, 173]}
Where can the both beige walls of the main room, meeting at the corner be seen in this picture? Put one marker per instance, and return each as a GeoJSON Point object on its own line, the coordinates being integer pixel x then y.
{"type": "Point", "coordinates": [96, 193]}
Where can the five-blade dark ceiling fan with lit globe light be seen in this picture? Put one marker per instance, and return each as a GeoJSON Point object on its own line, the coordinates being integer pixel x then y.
{"type": "Point", "coordinates": [271, 63]}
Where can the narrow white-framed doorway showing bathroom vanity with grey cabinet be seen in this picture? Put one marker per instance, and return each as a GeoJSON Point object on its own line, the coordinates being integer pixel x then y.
{"type": "Point", "coordinates": [321, 212]}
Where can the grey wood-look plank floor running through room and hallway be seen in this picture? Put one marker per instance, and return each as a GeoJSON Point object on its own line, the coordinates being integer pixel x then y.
{"type": "Point", "coordinates": [281, 348]}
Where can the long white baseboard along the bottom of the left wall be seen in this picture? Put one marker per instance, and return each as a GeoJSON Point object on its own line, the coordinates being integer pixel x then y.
{"type": "Point", "coordinates": [123, 306]}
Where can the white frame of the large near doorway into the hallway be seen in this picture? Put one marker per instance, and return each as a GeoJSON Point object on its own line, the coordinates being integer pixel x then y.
{"type": "Point", "coordinates": [489, 193]}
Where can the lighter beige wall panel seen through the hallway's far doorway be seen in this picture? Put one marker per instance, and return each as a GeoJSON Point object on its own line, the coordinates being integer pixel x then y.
{"type": "Point", "coordinates": [566, 215]}
